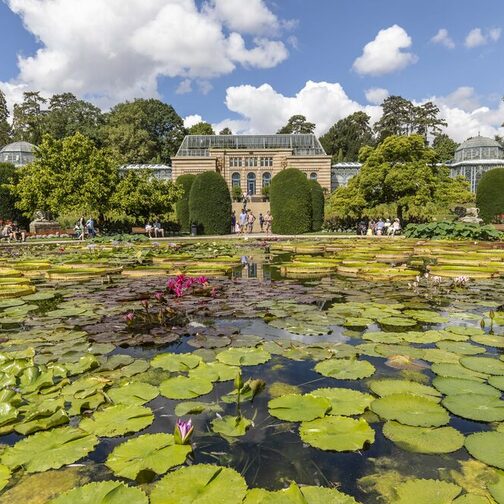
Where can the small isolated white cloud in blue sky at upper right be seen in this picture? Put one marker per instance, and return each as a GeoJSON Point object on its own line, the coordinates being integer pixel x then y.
{"type": "Point", "coordinates": [385, 54]}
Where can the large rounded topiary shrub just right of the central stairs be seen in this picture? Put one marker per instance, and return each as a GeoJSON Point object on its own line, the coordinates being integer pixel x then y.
{"type": "Point", "coordinates": [291, 204]}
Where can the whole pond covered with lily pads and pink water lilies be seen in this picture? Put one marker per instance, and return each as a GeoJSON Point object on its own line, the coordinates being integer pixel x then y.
{"type": "Point", "coordinates": [335, 371]}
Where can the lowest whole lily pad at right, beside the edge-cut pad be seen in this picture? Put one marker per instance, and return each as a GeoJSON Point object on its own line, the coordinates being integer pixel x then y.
{"type": "Point", "coordinates": [424, 439]}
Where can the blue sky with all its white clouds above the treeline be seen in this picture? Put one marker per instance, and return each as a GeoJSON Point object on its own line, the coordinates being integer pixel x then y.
{"type": "Point", "coordinates": [213, 59]}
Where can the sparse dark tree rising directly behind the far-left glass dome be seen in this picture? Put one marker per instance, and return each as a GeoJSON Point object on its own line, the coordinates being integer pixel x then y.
{"type": "Point", "coordinates": [28, 118]}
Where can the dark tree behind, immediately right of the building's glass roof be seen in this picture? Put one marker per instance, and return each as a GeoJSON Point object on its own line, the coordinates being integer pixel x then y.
{"type": "Point", "coordinates": [346, 137]}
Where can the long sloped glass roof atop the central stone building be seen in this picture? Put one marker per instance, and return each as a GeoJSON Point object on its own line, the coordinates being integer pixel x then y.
{"type": "Point", "coordinates": [300, 145]}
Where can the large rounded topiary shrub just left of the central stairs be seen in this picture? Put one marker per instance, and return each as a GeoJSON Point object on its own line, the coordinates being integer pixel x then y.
{"type": "Point", "coordinates": [210, 204]}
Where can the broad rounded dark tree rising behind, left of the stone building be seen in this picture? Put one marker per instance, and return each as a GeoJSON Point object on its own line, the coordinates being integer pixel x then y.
{"type": "Point", "coordinates": [143, 131]}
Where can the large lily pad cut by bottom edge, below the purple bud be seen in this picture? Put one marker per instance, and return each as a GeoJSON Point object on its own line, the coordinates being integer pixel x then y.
{"type": "Point", "coordinates": [201, 483]}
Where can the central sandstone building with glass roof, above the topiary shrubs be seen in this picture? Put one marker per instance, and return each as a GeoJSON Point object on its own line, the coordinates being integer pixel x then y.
{"type": "Point", "coordinates": [251, 161]}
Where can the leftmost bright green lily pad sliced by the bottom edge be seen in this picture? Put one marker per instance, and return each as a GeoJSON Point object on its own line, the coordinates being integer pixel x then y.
{"type": "Point", "coordinates": [104, 492]}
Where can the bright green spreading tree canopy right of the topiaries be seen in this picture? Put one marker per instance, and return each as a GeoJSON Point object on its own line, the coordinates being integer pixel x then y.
{"type": "Point", "coordinates": [399, 178]}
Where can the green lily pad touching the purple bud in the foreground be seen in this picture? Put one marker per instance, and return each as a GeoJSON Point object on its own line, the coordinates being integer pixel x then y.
{"type": "Point", "coordinates": [152, 452]}
